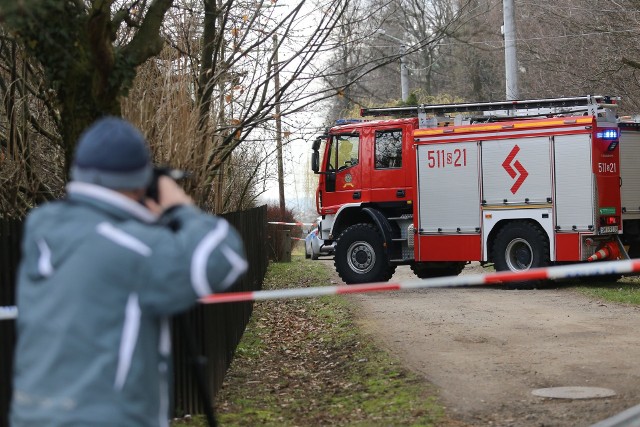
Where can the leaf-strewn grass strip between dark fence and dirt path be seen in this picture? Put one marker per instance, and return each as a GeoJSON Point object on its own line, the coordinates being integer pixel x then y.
{"type": "Point", "coordinates": [305, 362]}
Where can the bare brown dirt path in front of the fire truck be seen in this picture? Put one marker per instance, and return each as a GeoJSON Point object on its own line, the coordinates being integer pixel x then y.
{"type": "Point", "coordinates": [488, 349]}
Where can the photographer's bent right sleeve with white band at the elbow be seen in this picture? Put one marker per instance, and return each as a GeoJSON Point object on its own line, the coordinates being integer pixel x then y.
{"type": "Point", "coordinates": [196, 254]}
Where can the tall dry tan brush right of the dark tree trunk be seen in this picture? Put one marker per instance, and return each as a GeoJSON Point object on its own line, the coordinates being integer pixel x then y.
{"type": "Point", "coordinates": [163, 105]}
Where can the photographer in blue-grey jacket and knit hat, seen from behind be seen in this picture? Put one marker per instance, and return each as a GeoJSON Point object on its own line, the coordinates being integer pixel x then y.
{"type": "Point", "coordinates": [101, 273]}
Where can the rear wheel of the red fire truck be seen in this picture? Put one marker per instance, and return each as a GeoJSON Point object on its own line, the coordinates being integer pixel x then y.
{"type": "Point", "coordinates": [519, 246]}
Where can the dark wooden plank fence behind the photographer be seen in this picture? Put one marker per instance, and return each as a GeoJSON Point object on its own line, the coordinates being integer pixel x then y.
{"type": "Point", "coordinates": [217, 329]}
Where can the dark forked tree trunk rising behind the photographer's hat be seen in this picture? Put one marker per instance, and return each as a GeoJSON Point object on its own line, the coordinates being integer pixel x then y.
{"type": "Point", "coordinates": [87, 66]}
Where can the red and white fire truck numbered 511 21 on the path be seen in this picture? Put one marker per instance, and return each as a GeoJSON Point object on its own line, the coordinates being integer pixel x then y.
{"type": "Point", "coordinates": [519, 184]}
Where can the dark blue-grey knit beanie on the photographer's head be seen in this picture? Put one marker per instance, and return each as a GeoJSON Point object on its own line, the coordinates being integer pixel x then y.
{"type": "Point", "coordinates": [114, 154]}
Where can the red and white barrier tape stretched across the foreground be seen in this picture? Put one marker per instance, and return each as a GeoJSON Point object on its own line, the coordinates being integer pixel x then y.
{"type": "Point", "coordinates": [545, 273]}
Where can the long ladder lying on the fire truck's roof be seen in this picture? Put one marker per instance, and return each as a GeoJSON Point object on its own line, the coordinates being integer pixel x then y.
{"type": "Point", "coordinates": [595, 105]}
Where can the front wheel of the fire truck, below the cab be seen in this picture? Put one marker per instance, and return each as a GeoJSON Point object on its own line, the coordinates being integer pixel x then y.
{"type": "Point", "coordinates": [360, 256]}
